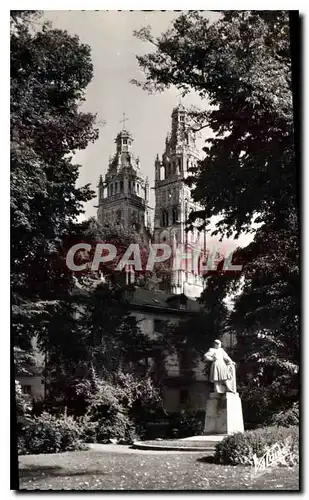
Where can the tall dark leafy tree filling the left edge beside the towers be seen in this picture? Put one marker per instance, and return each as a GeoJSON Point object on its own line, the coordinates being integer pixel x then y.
{"type": "Point", "coordinates": [50, 71]}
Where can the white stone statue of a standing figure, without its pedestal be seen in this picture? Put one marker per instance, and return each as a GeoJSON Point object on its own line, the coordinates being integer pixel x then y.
{"type": "Point", "coordinates": [222, 370]}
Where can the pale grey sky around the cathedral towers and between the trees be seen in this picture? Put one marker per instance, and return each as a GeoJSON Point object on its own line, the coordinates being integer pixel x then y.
{"type": "Point", "coordinates": [110, 94]}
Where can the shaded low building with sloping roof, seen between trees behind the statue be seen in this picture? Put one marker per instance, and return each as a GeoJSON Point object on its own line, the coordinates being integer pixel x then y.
{"type": "Point", "coordinates": [183, 380]}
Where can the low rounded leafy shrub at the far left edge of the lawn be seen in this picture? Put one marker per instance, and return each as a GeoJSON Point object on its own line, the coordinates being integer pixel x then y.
{"type": "Point", "coordinates": [49, 434]}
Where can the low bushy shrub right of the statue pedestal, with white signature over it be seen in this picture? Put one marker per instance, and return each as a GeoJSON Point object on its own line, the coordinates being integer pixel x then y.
{"type": "Point", "coordinates": [240, 447]}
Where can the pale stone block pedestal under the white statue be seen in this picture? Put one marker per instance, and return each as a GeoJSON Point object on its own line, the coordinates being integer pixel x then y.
{"type": "Point", "coordinates": [223, 414]}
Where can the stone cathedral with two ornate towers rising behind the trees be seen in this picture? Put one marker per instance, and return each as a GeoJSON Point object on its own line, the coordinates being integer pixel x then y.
{"type": "Point", "coordinates": [124, 196]}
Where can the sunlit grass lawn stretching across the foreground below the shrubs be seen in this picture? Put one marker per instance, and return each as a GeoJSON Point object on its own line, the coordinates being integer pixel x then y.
{"type": "Point", "coordinates": [132, 470]}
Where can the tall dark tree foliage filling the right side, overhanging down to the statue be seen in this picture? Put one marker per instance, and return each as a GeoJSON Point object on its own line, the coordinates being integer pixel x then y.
{"type": "Point", "coordinates": [242, 65]}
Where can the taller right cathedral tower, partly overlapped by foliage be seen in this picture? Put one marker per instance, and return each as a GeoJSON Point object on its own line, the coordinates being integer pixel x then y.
{"type": "Point", "coordinates": [173, 201]}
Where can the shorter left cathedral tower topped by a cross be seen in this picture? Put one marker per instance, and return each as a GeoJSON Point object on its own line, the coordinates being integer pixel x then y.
{"type": "Point", "coordinates": [124, 194]}
